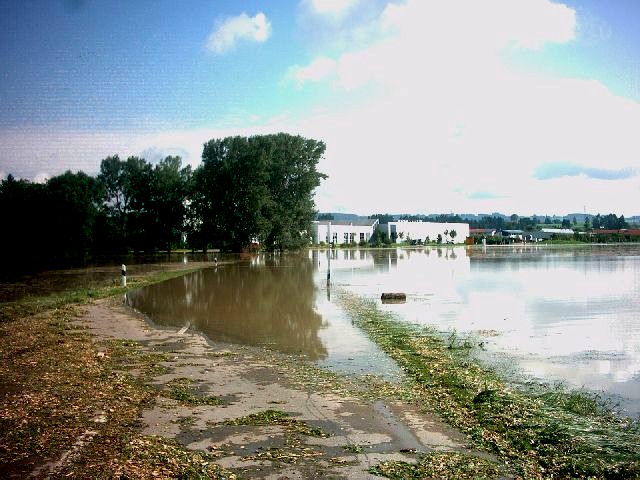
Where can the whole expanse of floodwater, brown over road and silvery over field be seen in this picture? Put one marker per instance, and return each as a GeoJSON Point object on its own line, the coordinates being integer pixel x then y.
{"type": "Point", "coordinates": [553, 314]}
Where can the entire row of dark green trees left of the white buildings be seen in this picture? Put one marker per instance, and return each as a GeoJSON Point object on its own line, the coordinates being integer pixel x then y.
{"type": "Point", "coordinates": [255, 189]}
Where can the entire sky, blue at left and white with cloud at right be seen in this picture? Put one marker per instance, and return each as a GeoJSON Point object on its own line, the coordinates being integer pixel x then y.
{"type": "Point", "coordinates": [426, 106]}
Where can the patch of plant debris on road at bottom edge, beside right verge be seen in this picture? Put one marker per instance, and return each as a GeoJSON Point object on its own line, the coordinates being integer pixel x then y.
{"type": "Point", "coordinates": [439, 466]}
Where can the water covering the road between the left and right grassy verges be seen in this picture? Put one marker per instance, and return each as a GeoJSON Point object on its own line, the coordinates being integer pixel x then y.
{"type": "Point", "coordinates": [272, 302]}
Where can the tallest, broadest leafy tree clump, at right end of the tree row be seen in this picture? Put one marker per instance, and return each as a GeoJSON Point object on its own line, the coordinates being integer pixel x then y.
{"type": "Point", "coordinates": [256, 188]}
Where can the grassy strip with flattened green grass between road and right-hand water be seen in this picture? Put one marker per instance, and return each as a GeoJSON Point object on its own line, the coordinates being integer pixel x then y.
{"type": "Point", "coordinates": [537, 434]}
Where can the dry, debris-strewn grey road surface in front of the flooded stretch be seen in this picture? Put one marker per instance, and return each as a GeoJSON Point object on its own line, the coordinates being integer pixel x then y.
{"type": "Point", "coordinates": [311, 429]}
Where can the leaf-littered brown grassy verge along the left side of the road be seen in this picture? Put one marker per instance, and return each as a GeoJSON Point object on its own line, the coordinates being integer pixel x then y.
{"type": "Point", "coordinates": [69, 409]}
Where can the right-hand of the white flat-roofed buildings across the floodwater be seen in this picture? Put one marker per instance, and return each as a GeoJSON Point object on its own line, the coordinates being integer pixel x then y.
{"type": "Point", "coordinates": [406, 230]}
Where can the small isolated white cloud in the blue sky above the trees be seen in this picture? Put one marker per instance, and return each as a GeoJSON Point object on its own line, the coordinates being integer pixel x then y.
{"type": "Point", "coordinates": [229, 32]}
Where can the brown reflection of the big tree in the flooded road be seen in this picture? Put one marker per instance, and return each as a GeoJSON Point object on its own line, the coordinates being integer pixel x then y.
{"type": "Point", "coordinates": [268, 304]}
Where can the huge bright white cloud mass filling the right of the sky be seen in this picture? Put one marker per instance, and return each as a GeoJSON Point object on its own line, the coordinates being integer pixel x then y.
{"type": "Point", "coordinates": [453, 119]}
